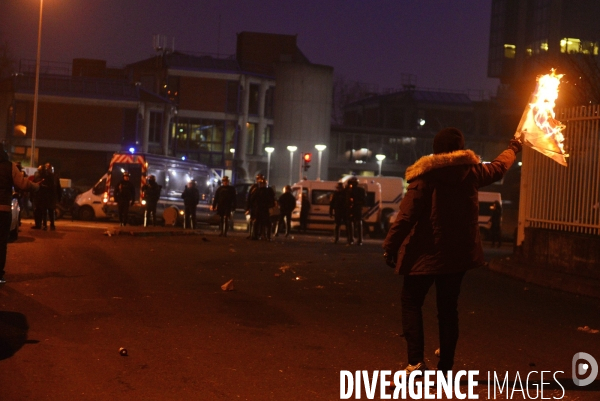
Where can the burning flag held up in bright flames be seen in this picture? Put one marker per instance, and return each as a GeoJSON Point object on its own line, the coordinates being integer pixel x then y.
{"type": "Point", "coordinates": [538, 127]}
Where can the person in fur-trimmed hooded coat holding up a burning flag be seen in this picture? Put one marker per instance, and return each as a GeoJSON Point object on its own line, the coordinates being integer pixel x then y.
{"type": "Point", "coordinates": [435, 238]}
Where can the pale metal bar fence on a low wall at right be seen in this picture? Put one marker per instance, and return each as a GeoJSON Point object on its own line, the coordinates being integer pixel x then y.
{"type": "Point", "coordinates": [564, 198]}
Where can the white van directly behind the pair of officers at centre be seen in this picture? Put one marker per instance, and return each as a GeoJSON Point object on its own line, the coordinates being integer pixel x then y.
{"type": "Point", "coordinates": [319, 195]}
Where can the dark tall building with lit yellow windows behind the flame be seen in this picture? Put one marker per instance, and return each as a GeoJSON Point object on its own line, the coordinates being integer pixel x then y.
{"type": "Point", "coordinates": [529, 37]}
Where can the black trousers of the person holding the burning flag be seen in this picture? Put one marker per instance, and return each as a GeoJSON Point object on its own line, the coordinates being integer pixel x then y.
{"type": "Point", "coordinates": [414, 290]}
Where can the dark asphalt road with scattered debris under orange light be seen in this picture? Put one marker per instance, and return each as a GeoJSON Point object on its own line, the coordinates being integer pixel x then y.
{"type": "Point", "coordinates": [302, 309]}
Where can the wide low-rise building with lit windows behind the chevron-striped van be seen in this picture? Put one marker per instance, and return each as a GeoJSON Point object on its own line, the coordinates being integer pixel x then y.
{"type": "Point", "coordinates": [218, 111]}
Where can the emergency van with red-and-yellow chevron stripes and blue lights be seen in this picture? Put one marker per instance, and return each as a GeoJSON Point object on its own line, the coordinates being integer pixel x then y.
{"type": "Point", "coordinates": [171, 174]}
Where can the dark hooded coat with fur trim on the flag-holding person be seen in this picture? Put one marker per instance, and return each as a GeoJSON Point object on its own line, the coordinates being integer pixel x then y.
{"type": "Point", "coordinates": [437, 229]}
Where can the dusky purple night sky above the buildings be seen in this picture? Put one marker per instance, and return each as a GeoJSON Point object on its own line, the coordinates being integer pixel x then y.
{"type": "Point", "coordinates": [443, 42]}
